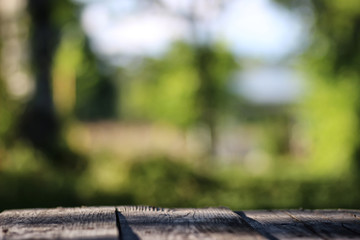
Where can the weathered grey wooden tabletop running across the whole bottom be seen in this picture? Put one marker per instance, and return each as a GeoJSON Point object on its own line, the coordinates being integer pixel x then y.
{"type": "Point", "coordinates": [140, 222]}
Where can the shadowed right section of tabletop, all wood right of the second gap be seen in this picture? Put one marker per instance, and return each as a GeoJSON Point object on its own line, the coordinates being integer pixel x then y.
{"type": "Point", "coordinates": [305, 224]}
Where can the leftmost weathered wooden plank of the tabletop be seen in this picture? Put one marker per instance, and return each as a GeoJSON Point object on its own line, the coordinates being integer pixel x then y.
{"type": "Point", "coordinates": [59, 223]}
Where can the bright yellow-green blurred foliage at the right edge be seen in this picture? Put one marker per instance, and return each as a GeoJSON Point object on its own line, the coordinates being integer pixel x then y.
{"type": "Point", "coordinates": [329, 114]}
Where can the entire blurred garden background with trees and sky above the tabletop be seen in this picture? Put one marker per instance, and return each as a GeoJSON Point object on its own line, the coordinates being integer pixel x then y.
{"type": "Point", "coordinates": [241, 103]}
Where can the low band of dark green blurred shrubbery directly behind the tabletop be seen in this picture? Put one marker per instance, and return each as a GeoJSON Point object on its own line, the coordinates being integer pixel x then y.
{"type": "Point", "coordinates": [160, 181]}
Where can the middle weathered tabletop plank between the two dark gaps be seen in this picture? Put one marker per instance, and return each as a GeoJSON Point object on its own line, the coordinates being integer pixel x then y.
{"type": "Point", "coordinates": [163, 223]}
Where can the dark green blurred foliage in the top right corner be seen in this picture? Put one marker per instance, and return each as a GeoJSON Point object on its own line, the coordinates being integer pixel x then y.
{"type": "Point", "coordinates": [338, 26]}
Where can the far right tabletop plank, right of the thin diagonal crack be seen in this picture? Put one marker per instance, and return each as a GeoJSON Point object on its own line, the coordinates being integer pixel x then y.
{"type": "Point", "coordinates": [333, 224]}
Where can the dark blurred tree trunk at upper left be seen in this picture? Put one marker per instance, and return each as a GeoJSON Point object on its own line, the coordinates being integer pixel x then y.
{"type": "Point", "coordinates": [39, 123]}
